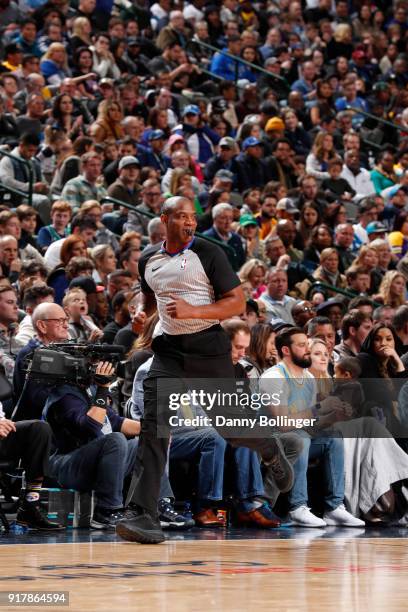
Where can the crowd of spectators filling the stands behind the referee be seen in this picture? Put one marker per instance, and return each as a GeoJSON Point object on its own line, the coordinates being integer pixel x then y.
{"type": "Point", "coordinates": [296, 161]}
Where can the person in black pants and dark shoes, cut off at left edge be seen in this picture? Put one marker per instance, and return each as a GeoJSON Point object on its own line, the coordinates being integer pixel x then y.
{"type": "Point", "coordinates": [28, 441]}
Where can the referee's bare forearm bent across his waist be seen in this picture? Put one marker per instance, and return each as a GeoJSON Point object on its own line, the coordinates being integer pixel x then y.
{"type": "Point", "coordinates": [230, 304]}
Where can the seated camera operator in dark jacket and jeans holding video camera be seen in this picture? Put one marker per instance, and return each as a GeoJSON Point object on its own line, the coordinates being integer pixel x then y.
{"type": "Point", "coordinates": [93, 449]}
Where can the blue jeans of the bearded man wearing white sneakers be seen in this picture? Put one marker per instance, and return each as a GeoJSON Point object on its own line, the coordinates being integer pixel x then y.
{"type": "Point", "coordinates": [331, 451]}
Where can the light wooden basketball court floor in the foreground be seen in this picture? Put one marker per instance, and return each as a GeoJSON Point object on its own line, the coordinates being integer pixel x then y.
{"type": "Point", "coordinates": [287, 569]}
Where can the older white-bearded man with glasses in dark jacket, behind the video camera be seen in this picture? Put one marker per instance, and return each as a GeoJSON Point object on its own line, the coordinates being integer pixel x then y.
{"type": "Point", "coordinates": [51, 325]}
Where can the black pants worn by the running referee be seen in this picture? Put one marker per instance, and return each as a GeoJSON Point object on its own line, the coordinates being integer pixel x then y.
{"type": "Point", "coordinates": [205, 355]}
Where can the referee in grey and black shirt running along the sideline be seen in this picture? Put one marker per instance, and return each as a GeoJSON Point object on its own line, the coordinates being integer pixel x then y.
{"type": "Point", "coordinates": [194, 287]}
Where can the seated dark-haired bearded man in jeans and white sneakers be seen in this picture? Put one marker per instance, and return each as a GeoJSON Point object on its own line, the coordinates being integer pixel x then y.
{"type": "Point", "coordinates": [297, 390]}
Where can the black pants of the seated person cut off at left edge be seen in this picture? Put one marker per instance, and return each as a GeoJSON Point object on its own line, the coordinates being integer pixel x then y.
{"type": "Point", "coordinates": [31, 443]}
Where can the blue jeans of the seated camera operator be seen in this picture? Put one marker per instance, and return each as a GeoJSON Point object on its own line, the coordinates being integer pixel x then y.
{"type": "Point", "coordinates": [101, 466]}
